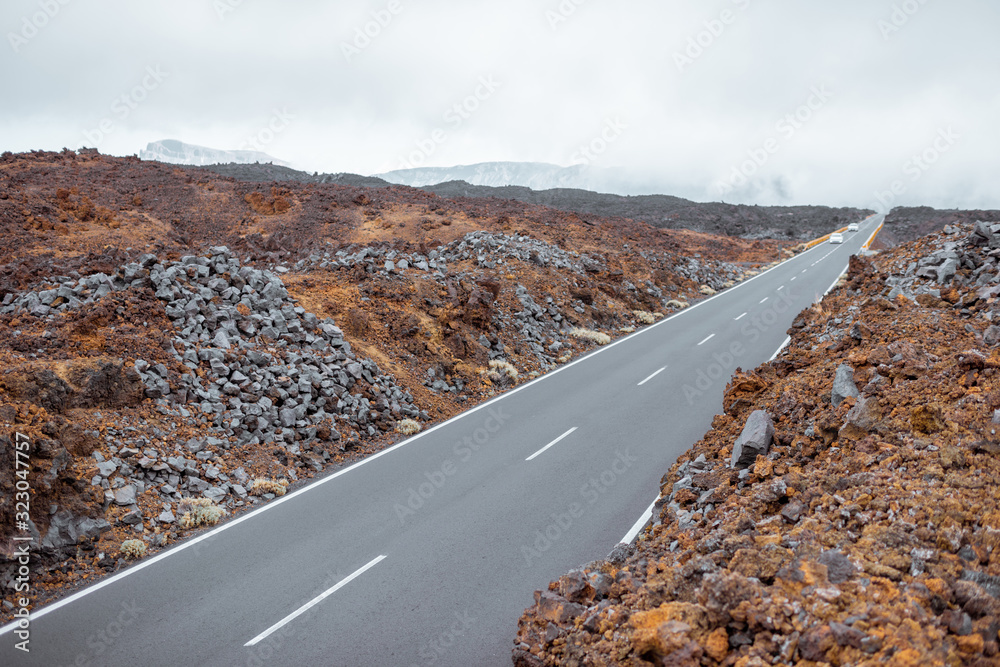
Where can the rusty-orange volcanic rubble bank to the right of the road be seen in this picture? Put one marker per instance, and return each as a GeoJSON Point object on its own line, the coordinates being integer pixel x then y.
{"type": "Point", "coordinates": [844, 509]}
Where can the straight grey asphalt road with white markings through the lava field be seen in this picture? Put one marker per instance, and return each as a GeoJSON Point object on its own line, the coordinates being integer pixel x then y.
{"type": "Point", "coordinates": [427, 553]}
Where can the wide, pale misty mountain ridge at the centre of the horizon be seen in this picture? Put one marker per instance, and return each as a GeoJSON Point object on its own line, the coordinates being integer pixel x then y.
{"type": "Point", "coordinates": [534, 175]}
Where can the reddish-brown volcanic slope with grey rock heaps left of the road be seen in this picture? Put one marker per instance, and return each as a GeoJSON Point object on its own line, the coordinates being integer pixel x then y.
{"type": "Point", "coordinates": [179, 346]}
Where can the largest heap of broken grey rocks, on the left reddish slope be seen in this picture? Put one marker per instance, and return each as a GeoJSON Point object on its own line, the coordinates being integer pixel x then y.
{"type": "Point", "coordinates": [259, 370]}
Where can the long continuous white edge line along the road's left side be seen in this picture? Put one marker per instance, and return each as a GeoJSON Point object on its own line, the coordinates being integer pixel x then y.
{"type": "Point", "coordinates": [329, 478]}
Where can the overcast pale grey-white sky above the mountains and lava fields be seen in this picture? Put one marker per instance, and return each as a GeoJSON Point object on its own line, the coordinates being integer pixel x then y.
{"type": "Point", "coordinates": [693, 95]}
